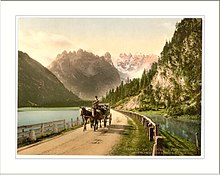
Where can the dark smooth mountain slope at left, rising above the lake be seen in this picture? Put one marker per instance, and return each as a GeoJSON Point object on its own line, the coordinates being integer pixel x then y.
{"type": "Point", "coordinates": [37, 86]}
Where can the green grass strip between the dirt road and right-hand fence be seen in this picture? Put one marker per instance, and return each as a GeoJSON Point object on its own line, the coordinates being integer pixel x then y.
{"type": "Point", "coordinates": [134, 141]}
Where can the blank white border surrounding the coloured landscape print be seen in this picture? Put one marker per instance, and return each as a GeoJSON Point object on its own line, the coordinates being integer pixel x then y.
{"type": "Point", "coordinates": [209, 164]}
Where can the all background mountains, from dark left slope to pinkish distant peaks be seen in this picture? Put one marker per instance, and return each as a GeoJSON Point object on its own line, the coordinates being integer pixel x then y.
{"type": "Point", "coordinates": [78, 72]}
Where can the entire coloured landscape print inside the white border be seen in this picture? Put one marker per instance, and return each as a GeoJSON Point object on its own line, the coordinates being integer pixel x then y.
{"type": "Point", "coordinates": [109, 86]}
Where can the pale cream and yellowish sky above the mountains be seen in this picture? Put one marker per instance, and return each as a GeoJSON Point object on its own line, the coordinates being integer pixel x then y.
{"type": "Point", "coordinates": [43, 37]}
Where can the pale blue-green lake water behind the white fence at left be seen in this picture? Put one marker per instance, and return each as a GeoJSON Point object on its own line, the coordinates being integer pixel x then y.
{"type": "Point", "coordinates": [35, 117]}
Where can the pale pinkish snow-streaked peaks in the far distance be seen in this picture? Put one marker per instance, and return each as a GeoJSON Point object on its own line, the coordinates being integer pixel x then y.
{"type": "Point", "coordinates": [132, 66]}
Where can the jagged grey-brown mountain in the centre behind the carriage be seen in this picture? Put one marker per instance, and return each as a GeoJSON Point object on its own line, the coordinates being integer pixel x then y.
{"type": "Point", "coordinates": [85, 74]}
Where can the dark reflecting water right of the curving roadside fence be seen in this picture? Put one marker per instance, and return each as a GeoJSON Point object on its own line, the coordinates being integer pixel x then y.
{"type": "Point", "coordinates": [182, 128]}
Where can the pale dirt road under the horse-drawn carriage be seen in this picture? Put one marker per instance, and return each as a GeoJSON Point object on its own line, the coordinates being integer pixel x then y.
{"type": "Point", "coordinates": [77, 142]}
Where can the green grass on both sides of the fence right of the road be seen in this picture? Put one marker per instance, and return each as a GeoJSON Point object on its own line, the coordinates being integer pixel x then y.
{"type": "Point", "coordinates": [134, 142]}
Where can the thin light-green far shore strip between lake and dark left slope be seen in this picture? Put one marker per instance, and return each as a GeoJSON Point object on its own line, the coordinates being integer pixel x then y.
{"type": "Point", "coordinates": [46, 108]}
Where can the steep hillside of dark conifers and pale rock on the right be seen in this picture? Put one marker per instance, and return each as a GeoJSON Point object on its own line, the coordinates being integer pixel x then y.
{"type": "Point", "coordinates": [175, 82]}
